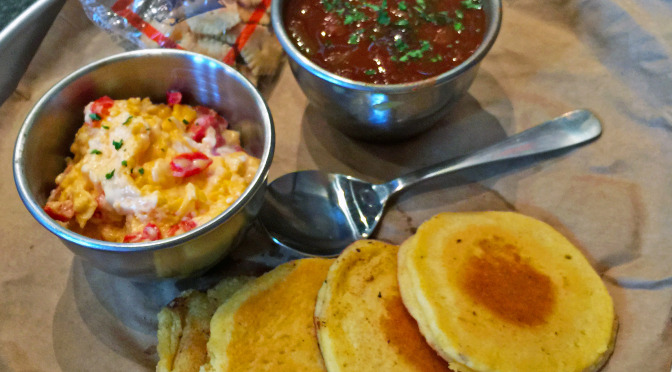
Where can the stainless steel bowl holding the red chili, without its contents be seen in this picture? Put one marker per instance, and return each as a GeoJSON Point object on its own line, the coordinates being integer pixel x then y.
{"type": "Point", "coordinates": [383, 112]}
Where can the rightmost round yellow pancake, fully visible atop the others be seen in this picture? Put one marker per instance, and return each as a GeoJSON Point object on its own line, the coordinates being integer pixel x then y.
{"type": "Point", "coordinates": [499, 291]}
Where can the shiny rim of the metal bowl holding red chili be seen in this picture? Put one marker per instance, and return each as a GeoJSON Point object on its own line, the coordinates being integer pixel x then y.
{"type": "Point", "coordinates": [495, 21]}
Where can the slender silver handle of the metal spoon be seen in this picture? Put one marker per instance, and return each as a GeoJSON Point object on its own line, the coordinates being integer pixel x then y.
{"type": "Point", "coordinates": [569, 129]}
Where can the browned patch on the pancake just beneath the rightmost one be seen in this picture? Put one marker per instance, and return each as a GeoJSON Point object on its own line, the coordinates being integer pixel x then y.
{"type": "Point", "coordinates": [403, 334]}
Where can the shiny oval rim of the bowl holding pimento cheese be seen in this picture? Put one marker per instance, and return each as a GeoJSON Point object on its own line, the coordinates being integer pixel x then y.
{"type": "Point", "coordinates": [38, 213]}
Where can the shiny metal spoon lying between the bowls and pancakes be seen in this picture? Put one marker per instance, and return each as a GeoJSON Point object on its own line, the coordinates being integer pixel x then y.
{"type": "Point", "coordinates": [319, 214]}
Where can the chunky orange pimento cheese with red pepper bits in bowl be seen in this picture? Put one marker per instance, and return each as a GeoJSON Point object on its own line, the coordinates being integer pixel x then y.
{"type": "Point", "coordinates": [142, 171]}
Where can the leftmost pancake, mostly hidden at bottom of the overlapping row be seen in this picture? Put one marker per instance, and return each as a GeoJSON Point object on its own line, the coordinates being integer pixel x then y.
{"type": "Point", "coordinates": [184, 326]}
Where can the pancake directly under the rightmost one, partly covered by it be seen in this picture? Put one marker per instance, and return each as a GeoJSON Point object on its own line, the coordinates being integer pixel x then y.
{"type": "Point", "coordinates": [362, 324]}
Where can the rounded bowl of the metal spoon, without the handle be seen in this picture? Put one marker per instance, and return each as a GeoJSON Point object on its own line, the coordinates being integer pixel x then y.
{"type": "Point", "coordinates": [319, 213]}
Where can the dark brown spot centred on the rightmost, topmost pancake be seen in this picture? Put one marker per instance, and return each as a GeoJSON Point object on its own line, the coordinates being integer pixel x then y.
{"type": "Point", "coordinates": [507, 285]}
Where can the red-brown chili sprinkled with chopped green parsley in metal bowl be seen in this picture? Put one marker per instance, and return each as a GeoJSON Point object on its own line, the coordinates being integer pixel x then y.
{"type": "Point", "coordinates": [386, 41]}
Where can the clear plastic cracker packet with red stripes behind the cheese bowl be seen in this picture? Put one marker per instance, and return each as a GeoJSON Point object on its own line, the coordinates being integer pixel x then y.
{"type": "Point", "coordinates": [237, 32]}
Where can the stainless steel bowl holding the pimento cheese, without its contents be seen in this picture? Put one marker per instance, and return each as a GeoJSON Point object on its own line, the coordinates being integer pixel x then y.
{"type": "Point", "coordinates": [49, 129]}
